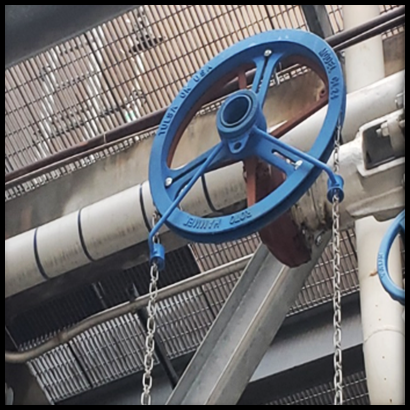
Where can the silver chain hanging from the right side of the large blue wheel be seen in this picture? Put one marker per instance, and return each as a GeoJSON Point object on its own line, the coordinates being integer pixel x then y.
{"type": "Point", "coordinates": [337, 309]}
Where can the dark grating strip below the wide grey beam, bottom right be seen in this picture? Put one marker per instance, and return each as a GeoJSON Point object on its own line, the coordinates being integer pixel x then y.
{"type": "Point", "coordinates": [354, 393]}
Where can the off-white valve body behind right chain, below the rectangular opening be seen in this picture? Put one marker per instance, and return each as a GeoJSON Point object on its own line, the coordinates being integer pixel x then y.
{"type": "Point", "coordinates": [378, 192]}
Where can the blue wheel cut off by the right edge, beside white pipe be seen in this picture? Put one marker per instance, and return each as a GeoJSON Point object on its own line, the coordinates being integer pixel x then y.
{"type": "Point", "coordinates": [397, 227]}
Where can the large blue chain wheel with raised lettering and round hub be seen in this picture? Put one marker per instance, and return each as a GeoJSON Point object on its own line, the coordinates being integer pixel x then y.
{"type": "Point", "coordinates": [243, 132]}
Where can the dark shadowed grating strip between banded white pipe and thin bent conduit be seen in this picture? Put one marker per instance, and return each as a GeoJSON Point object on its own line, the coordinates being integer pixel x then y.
{"type": "Point", "coordinates": [44, 321]}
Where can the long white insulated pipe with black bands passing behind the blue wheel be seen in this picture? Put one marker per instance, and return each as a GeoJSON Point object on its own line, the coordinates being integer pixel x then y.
{"type": "Point", "coordinates": [123, 220]}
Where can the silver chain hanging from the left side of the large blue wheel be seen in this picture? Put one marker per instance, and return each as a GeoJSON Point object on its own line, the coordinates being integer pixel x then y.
{"type": "Point", "coordinates": [151, 328]}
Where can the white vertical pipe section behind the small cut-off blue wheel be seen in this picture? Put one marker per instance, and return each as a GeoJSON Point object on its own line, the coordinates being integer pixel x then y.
{"type": "Point", "coordinates": [382, 317]}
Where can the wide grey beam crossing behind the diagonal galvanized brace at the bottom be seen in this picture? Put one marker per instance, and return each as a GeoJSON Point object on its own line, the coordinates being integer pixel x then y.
{"type": "Point", "coordinates": [299, 358]}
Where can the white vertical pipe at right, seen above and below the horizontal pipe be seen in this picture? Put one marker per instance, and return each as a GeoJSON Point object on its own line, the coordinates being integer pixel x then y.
{"type": "Point", "coordinates": [383, 328]}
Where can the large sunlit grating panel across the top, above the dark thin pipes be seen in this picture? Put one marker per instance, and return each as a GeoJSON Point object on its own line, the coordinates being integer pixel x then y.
{"type": "Point", "coordinates": [123, 70]}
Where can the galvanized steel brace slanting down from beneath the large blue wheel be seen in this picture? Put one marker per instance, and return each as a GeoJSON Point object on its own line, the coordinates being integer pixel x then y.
{"type": "Point", "coordinates": [243, 330]}
